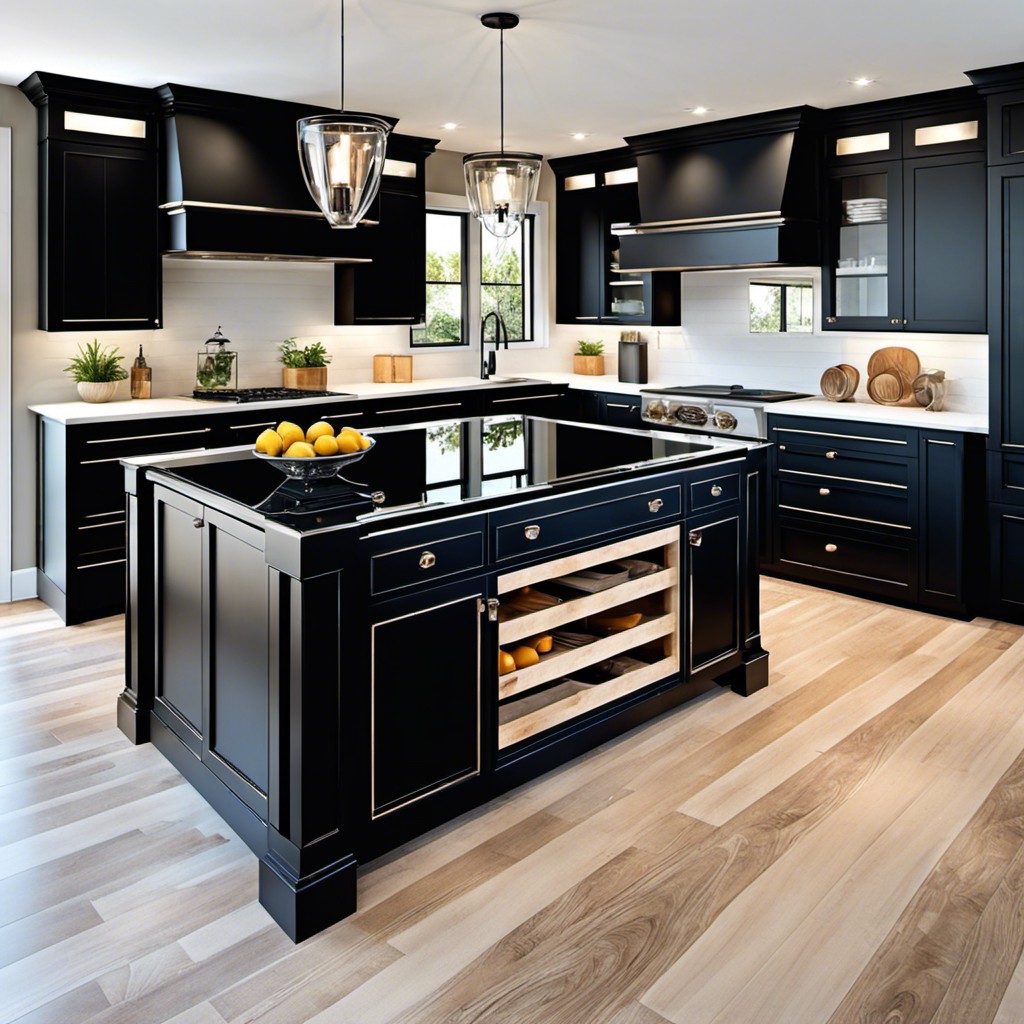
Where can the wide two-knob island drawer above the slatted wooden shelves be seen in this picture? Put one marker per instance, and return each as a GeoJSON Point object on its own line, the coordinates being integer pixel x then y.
{"type": "Point", "coordinates": [554, 525]}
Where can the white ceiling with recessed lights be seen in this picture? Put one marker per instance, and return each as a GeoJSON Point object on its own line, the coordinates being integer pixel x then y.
{"type": "Point", "coordinates": [609, 68]}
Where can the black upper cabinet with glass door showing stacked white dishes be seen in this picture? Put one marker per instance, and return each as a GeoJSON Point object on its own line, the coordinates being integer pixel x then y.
{"type": "Point", "coordinates": [905, 222]}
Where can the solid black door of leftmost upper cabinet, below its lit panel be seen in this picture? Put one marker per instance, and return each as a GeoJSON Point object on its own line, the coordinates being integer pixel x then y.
{"type": "Point", "coordinates": [100, 262]}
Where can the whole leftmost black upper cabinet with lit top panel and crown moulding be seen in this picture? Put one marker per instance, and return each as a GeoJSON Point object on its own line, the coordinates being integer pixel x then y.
{"type": "Point", "coordinates": [99, 195]}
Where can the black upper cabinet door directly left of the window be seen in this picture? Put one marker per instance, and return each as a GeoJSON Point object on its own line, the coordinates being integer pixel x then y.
{"type": "Point", "coordinates": [392, 289]}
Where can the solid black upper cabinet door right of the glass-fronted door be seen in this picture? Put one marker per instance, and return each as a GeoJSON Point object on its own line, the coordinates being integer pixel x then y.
{"type": "Point", "coordinates": [945, 244]}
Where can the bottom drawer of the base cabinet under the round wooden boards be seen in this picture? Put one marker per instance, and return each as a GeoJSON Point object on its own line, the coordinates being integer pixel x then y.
{"type": "Point", "coordinates": [849, 560]}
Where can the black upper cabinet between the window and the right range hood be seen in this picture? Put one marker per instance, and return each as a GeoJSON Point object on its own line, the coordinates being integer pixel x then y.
{"type": "Point", "coordinates": [594, 194]}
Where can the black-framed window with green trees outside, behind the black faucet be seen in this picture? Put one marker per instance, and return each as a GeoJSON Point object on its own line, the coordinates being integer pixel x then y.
{"type": "Point", "coordinates": [470, 274]}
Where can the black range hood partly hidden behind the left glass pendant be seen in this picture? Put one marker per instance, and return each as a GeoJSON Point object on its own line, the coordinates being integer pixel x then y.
{"type": "Point", "coordinates": [233, 186]}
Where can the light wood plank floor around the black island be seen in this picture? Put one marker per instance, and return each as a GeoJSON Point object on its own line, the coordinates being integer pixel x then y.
{"type": "Point", "coordinates": [846, 846]}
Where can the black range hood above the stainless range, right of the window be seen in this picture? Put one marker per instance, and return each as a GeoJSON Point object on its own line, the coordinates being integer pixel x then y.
{"type": "Point", "coordinates": [742, 193]}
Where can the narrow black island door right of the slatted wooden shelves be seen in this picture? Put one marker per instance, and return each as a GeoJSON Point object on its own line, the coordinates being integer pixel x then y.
{"type": "Point", "coordinates": [714, 594]}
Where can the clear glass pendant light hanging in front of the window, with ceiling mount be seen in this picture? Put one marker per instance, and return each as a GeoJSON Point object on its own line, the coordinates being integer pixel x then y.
{"type": "Point", "coordinates": [501, 186]}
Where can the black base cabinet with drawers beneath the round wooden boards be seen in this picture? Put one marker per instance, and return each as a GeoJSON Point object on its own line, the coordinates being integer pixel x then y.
{"type": "Point", "coordinates": [886, 511]}
